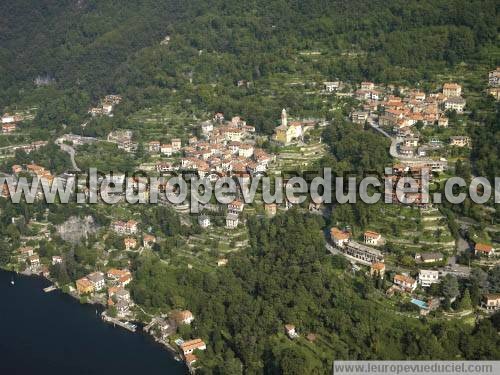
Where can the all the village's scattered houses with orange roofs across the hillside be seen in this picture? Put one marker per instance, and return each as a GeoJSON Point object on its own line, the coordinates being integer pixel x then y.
{"type": "Point", "coordinates": [232, 147]}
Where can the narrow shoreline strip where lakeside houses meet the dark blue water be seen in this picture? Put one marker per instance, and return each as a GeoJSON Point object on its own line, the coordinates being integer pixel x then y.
{"type": "Point", "coordinates": [168, 348]}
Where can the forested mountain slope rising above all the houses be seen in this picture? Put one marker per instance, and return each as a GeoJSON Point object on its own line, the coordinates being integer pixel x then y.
{"type": "Point", "coordinates": [92, 47]}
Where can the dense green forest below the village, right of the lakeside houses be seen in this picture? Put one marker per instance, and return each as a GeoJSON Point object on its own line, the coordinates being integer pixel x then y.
{"type": "Point", "coordinates": [288, 278]}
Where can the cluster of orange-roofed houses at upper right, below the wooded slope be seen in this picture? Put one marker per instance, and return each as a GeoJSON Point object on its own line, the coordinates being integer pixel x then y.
{"type": "Point", "coordinates": [401, 113]}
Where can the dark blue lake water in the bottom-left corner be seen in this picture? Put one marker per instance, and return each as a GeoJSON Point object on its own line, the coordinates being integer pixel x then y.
{"type": "Point", "coordinates": [53, 334]}
